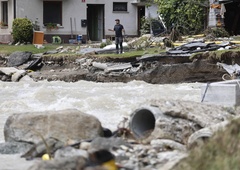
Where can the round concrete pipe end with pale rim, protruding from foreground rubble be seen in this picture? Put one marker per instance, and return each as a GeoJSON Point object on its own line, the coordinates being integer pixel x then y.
{"type": "Point", "coordinates": [142, 121]}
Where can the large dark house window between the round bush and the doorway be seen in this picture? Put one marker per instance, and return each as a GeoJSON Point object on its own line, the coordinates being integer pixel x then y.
{"type": "Point", "coordinates": [52, 12]}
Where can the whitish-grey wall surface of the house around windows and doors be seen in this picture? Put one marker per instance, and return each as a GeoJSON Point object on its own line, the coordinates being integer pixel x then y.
{"type": "Point", "coordinates": [77, 10]}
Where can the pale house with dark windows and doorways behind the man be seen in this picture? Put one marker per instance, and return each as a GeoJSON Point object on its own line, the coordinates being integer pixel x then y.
{"type": "Point", "coordinates": [89, 18]}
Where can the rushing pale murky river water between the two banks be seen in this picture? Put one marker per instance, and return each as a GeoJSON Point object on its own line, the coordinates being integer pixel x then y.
{"type": "Point", "coordinates": [109, 102]}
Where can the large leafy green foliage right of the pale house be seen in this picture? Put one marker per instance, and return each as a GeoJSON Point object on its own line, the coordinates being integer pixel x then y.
{"type": "Point", "coordinates": [190, 15]}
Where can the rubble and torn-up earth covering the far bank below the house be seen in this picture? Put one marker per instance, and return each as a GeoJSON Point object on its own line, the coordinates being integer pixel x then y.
{"type": "Point", "coordinates": [152, 68]}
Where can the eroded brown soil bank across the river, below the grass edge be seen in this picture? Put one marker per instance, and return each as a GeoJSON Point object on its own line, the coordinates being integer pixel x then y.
{"type": "Point", "coordinates": [156, 69]}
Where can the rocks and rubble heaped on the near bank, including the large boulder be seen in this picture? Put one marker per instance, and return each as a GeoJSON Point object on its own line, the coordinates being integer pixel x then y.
{"type": "Point", "coordinates": [164, 146]}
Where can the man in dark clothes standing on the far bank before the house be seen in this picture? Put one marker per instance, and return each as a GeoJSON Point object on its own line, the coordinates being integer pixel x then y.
{"type": "Point", "coordinates": [119, 29]}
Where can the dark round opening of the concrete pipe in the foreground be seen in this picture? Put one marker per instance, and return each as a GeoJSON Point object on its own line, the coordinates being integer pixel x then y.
{"type": "Point", "coordinates": [142, 123]}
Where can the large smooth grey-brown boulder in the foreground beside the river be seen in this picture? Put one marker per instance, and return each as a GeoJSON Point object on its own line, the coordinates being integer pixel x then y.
{"type": "Point", "coordinates": [62, 125]}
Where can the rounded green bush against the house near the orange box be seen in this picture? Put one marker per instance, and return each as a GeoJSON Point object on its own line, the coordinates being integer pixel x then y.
{"type": "Point", "coordinates": [22, 30]}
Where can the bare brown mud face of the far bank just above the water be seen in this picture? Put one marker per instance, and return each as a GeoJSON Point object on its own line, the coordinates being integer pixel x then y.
{"type": "Point", "coordinates": [156, 71]}
